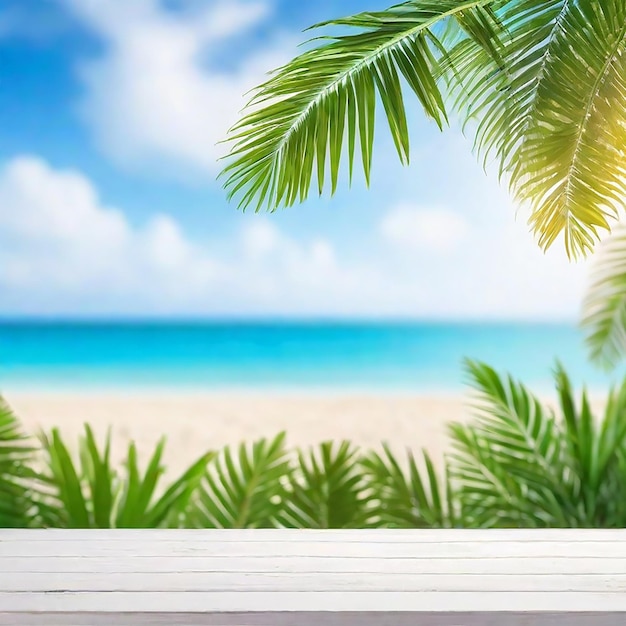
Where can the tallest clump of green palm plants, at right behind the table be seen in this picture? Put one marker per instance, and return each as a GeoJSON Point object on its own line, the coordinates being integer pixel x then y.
{"type": "Point", "coordinates": [518, 465]}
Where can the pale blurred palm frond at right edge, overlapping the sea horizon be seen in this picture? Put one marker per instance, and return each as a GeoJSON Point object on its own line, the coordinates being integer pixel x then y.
{"type": "Point", "coordinates": [604, 307]}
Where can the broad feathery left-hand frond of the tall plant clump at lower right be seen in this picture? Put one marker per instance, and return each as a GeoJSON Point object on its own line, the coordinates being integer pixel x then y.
{"type": "Point", "coordinates": [509, 461]}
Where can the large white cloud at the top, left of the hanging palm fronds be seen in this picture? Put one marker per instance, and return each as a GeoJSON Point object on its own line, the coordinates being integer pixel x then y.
{"type": "Point", "coordinates": [154, 99]}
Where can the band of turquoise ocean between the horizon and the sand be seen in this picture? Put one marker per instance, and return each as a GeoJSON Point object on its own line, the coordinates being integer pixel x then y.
{"type": "Point", "coordinates": [283, 356]}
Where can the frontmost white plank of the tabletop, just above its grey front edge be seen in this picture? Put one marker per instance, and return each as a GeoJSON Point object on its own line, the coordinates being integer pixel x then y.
{"type": "Point", "coordinates": [312, 602]}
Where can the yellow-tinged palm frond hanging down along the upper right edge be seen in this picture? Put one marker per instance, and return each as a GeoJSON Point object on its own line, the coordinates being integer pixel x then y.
{"type": "Point", "coordinates": [570, 162]}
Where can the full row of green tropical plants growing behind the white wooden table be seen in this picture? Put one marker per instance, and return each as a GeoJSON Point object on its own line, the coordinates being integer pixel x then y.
{"type": "Point", "coordinates": [519, 463]}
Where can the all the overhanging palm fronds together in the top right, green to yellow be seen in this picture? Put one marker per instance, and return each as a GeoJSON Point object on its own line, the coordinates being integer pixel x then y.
{"type": "Point", "coordinates": [540, 83]}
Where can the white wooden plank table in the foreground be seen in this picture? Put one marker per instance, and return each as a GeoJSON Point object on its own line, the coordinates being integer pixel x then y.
{"type": "Point", "coordinates": [313, 578]}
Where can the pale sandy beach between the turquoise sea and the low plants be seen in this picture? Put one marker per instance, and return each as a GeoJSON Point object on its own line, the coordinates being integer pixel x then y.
{"type": "Point", "coordinates": [196, 422]}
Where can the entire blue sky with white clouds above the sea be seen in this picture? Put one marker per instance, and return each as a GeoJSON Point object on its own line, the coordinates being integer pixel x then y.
{"type": "Point", "coordinates": [110, 112]}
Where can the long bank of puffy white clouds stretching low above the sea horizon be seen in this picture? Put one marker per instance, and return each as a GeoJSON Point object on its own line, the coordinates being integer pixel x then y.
{"type": "Point", "coordinates": [63, 251]}
